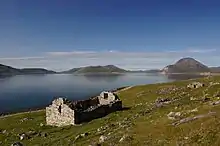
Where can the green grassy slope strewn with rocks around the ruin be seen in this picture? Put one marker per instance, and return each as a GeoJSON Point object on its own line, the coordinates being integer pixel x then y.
{"type": "Point", "coordinates": [142, 123]}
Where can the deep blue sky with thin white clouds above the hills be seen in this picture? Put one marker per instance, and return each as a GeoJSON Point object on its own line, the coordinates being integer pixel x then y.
{"type": "Point", "coordinates": [133, 34]}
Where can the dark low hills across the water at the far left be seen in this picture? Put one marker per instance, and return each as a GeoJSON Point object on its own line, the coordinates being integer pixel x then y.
{"type": "Point", "coordinates": [9, 71]}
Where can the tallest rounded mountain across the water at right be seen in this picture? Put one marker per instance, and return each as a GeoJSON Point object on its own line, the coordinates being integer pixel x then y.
{"type": "Point", "coordinates": [186, 65]}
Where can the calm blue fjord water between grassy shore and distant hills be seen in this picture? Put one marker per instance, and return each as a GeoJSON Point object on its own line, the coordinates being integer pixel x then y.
{"type": "Point", "coordinates": [19, 93]}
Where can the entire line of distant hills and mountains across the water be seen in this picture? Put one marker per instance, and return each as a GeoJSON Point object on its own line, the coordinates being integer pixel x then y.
{"type": "Point", "coordinates": [182, 66]}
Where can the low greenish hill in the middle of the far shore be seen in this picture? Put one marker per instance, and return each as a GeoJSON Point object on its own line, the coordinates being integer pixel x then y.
{"type": "Point", "coordinates": [96, 69]}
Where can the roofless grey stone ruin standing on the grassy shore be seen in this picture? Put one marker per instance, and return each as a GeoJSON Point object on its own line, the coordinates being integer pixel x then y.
{"type": "Point", "coordinates": [63, 112]}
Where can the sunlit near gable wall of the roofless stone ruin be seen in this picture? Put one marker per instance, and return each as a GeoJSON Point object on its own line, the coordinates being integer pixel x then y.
{"type": "Point", "coordinates": [59, 114]}
